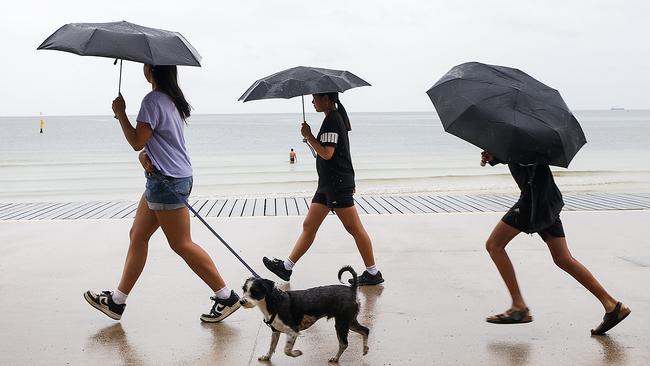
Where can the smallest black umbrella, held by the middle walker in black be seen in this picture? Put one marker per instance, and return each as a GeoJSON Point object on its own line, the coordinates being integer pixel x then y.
{"type": "Point", "coordinates": [301, 81]}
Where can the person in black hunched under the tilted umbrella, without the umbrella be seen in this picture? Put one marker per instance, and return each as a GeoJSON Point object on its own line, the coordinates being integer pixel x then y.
{"type": "Point", "coordinates": [538, 211]}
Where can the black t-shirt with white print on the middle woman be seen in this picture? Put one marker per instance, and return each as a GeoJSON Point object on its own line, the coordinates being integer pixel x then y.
{"type": "Point", "coordinates": [336, 174]}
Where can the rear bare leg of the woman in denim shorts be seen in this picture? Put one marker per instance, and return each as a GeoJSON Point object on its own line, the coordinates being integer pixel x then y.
{"type": "Point", "coordinates": [144, 225]}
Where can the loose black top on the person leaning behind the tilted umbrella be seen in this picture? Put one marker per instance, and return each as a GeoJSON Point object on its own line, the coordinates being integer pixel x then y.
{"type": "Point", "coordinates": [540, 195]}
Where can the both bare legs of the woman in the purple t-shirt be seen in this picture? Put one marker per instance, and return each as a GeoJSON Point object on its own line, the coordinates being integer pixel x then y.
{"type": "Point", "coordinates": [176, 226]}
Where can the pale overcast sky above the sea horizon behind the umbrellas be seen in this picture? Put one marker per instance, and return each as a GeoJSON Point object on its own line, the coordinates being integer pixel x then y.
{"type": "Point", "coordinates": [596, 53]}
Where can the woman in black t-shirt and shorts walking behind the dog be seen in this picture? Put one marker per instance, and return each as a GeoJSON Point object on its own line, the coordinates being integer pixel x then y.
{"type": "Point", "coordinates": [334, 192]}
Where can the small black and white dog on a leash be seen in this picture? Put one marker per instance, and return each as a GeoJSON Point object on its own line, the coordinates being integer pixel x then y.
{"type": "Point", "coordinates": [292, 311]}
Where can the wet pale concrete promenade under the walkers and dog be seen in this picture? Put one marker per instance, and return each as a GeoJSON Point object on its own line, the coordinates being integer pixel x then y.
{"type": "Point", "coordinates": [440, 285]}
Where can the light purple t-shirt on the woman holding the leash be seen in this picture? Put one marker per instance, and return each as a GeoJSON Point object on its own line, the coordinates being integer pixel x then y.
{"type": "Point", "coordinates": [166, 147]}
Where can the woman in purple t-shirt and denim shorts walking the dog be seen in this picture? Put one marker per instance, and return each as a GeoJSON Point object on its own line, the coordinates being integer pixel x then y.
{"type": "Point", "coordinates": [159, 130]}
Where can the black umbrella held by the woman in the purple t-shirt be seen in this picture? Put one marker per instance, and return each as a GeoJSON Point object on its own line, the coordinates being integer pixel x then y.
{"type": "Point", "coordinates": [123, 41]}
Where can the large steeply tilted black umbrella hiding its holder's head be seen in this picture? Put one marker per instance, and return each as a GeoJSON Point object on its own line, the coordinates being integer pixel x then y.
{"type": "Point", "coordinates": [507, 113]}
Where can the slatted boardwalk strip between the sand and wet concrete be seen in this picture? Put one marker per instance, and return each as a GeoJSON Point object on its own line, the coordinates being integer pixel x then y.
{"type": "Point", "coordinates": [298, 206]}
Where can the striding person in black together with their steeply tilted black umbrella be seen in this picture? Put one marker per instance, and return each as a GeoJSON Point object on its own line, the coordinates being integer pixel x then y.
{"type": "Point", "coordinates": [521, 121]}
